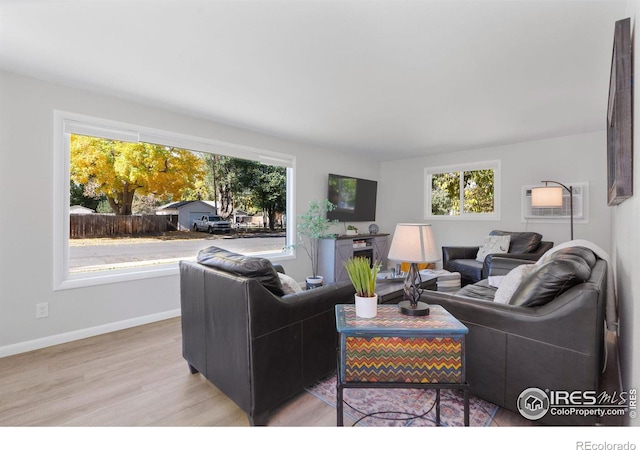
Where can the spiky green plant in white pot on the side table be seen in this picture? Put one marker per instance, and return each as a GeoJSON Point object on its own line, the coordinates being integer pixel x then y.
{"type": "Point", "coordinates": [363, 276]}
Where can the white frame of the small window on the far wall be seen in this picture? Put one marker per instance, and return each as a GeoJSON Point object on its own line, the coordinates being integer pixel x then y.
{"type": "Point", "coordinates": [495, 165]}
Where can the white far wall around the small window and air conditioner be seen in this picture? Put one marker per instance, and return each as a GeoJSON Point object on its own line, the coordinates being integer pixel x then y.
{"type": "Point", "coordinates": [569, 159]}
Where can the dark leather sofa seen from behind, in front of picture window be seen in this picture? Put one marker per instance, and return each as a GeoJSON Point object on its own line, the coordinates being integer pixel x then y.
{"type": "Point", "coordinates": [243, 334]}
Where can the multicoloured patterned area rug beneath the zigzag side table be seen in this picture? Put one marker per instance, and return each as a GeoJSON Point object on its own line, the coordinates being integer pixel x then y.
{"type": "Point", "coordinates": [400, 407]}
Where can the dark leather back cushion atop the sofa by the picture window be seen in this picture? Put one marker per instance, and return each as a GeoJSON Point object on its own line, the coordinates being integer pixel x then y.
{"type": "Point", "coordinates": [244, 266]}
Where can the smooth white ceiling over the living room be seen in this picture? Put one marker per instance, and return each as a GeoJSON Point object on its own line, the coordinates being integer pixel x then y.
{"type": "Point", "coordinates": [391, 78]}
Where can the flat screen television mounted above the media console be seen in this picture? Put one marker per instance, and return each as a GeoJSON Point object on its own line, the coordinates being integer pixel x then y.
{"type": "Point", "coordinates": [355, 198]}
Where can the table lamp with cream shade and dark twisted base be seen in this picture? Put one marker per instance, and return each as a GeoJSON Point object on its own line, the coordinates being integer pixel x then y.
{"type": "Point", "coordinates": [413, 243]}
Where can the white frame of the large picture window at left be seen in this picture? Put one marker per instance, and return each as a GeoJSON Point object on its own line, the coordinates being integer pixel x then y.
{"type": "Point", "coordinates": [66, 123]}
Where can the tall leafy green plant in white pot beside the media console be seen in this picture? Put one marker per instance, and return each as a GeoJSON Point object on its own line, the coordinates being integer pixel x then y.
{"type": "Point", "coordinates": [312, 226]}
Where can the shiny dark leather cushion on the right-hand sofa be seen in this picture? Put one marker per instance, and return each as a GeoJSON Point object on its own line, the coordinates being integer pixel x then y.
{"type": "Point", "coordinates": [547, 281]}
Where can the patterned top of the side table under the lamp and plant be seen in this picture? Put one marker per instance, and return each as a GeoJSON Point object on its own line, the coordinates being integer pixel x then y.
{"type": "Point", "coordinates": [391, 322]}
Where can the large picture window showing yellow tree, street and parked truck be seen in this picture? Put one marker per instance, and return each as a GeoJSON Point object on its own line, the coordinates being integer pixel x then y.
{"type": "Point", "coordinates": [134, 207]}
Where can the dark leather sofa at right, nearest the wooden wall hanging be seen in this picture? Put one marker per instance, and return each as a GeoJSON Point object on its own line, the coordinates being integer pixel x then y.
{"type": "Point", "coordinates": [549, 336]}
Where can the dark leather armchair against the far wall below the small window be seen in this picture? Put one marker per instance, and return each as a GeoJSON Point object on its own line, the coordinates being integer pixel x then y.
{"type": "Point", "coordinates": [524, 245]}
